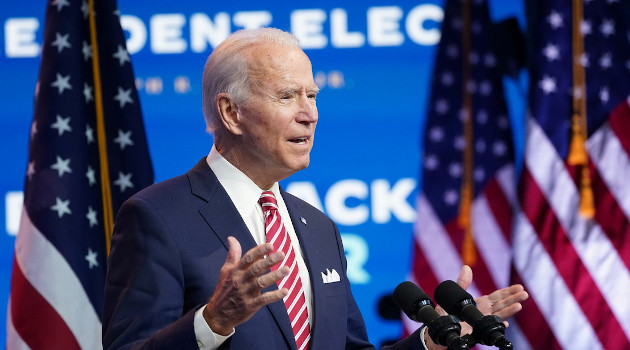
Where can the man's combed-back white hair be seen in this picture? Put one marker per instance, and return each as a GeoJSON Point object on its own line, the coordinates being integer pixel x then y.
{"type": "Point", "coordinates": [227, 70]}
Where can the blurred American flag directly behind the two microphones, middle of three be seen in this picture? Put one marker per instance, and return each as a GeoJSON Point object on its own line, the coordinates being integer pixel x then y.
{"type": "Point", "coordinates": [466, 81]}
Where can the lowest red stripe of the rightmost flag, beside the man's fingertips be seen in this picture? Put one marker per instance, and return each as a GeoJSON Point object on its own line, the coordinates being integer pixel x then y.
{"type": "Point", "coordinates": [532, 323]}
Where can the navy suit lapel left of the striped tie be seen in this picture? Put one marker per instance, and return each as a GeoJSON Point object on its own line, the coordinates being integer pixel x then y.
{"type": "Point", "coordinates": [224, 220]}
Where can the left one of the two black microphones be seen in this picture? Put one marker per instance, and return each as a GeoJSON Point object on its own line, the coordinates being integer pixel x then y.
{"type": "Point", "coordinates": [417, 305]}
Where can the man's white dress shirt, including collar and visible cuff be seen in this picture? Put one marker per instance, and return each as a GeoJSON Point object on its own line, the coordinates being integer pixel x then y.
{"type": "Point", "coordinates": [244, 193]}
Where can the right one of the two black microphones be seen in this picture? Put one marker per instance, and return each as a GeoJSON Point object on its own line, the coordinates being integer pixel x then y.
{"type": "Point", "coordinates": [487, 330]}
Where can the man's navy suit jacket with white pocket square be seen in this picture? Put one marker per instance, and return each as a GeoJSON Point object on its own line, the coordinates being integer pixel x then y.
{"type": "Point", "coordinates": [169, 243]}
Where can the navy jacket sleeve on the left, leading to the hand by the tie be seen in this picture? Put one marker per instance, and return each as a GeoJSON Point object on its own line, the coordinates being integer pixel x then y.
{"type": "Point", "coordinates": [144, 289]}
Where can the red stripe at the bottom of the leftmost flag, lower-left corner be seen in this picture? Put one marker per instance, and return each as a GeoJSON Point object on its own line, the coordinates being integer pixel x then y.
{"type": "Point", "coordinates": [34, 319]}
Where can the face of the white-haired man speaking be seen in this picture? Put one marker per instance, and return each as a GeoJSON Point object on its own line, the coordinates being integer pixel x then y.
{"type": "Point", "coordinates": [278, 121]}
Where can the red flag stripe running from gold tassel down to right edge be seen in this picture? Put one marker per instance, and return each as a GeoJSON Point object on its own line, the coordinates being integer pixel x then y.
{"type": "Point", "coordinates": [610, 217]}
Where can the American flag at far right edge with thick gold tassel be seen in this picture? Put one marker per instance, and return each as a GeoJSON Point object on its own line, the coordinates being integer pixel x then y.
{"type": "Point", "coordinates": [576, 267]}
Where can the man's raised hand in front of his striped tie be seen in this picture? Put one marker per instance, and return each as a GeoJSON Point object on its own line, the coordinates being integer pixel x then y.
{"type": "Point", "coordinates": [238, 294]}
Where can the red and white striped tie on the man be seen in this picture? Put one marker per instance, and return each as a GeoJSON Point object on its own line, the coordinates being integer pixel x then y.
{"type": "Point", "coordinates": [295, 301]}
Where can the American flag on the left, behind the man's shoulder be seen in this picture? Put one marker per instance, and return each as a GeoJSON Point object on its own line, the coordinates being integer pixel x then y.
{"type": "Point", "coordinates": [87, 154]}
